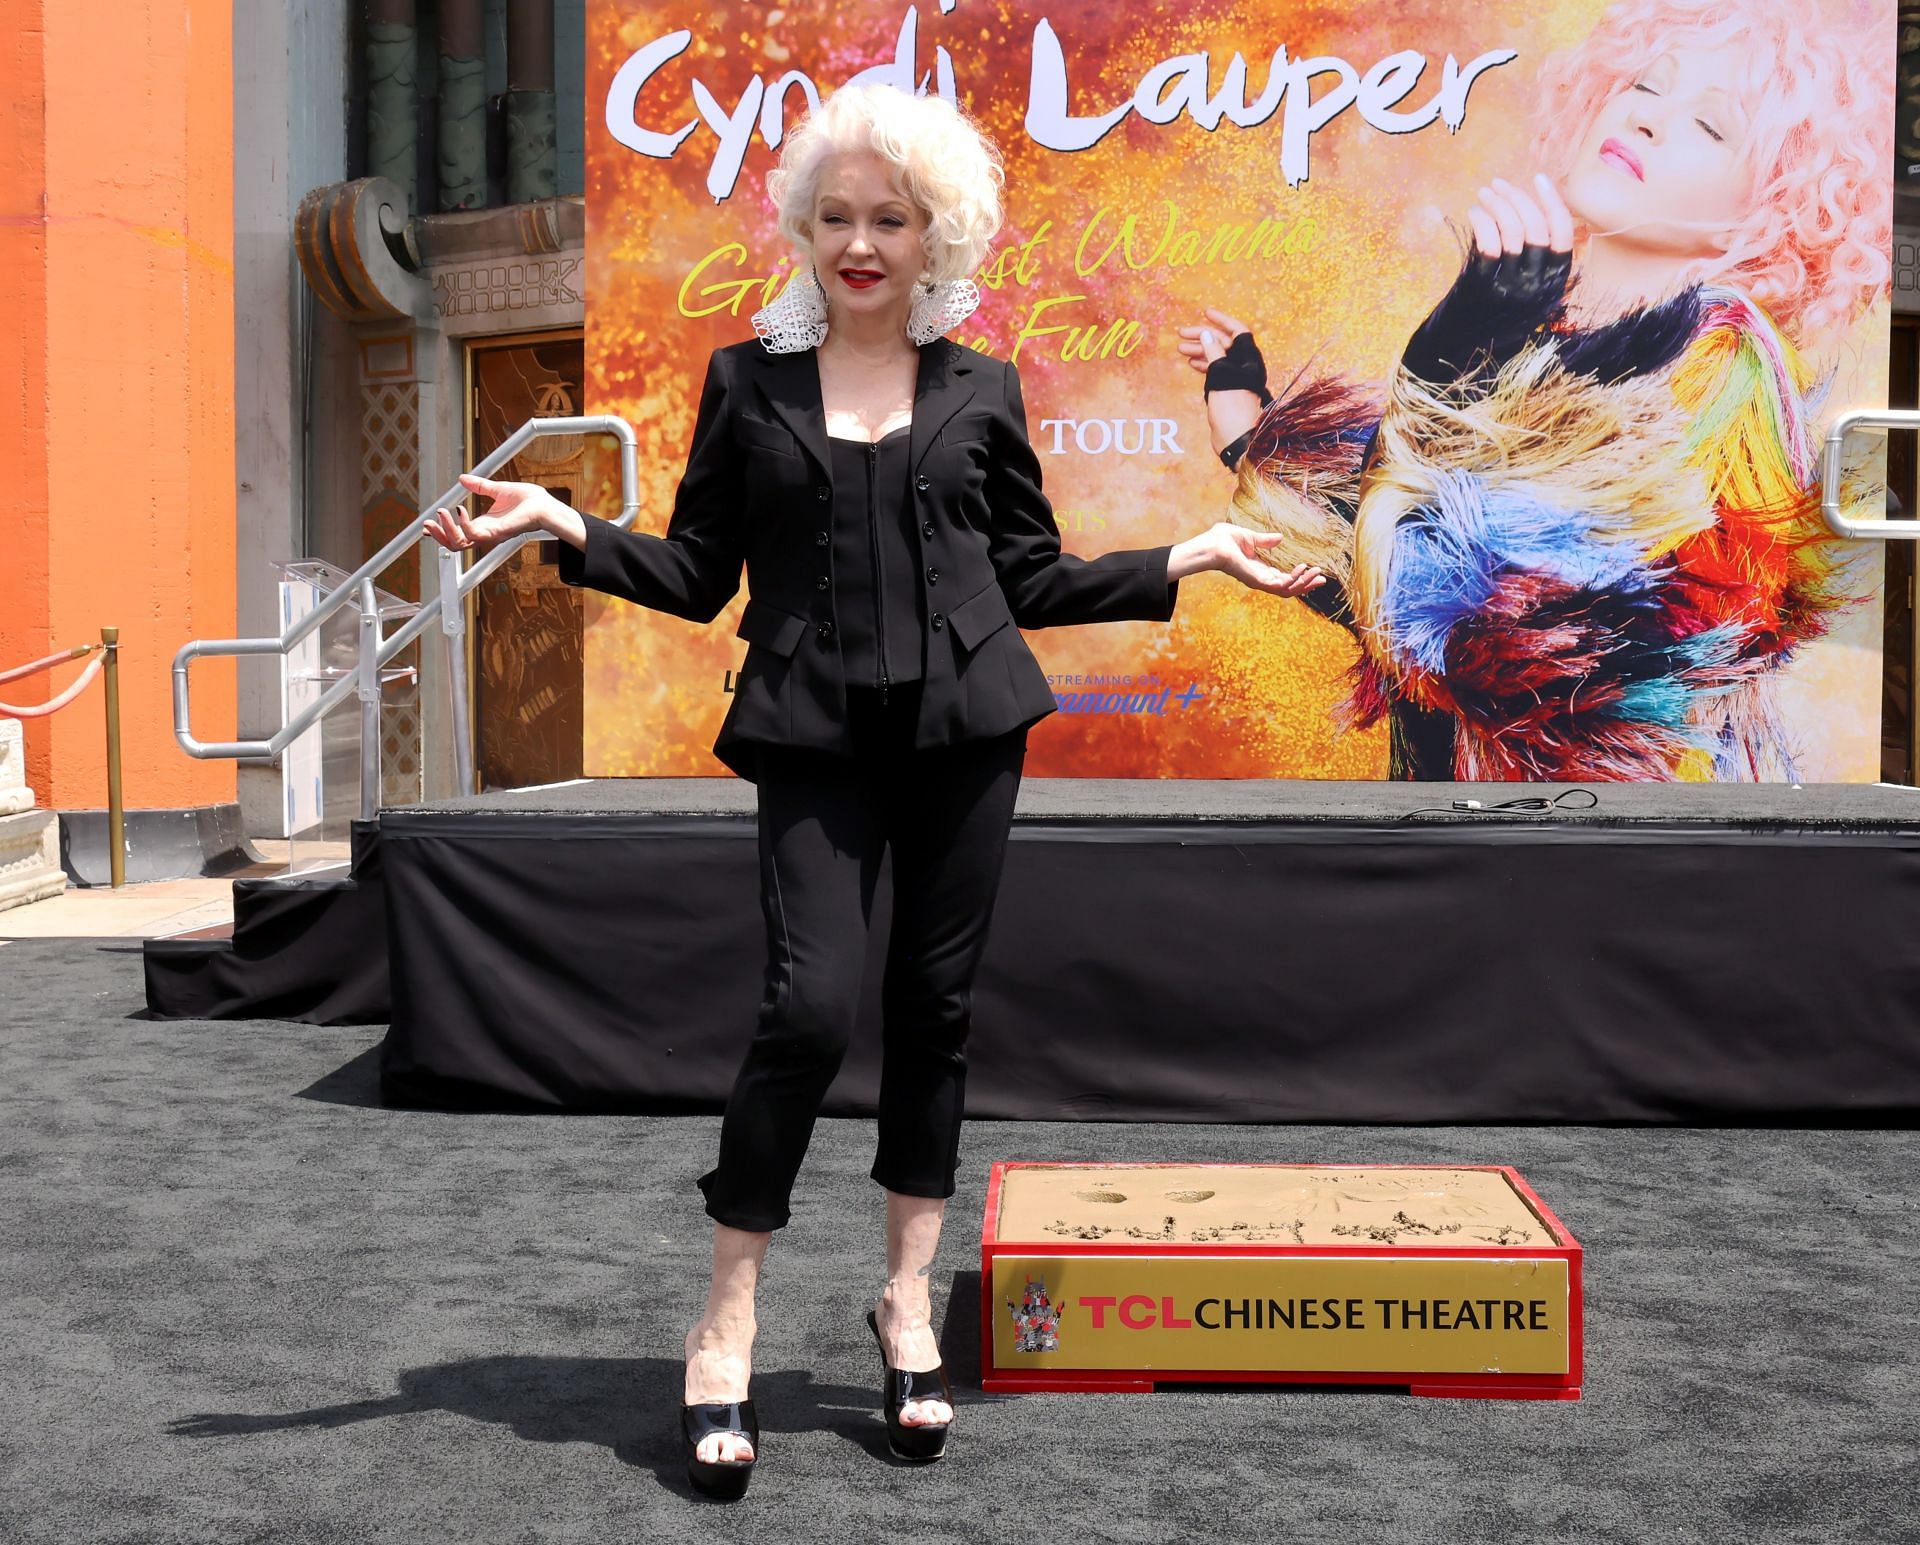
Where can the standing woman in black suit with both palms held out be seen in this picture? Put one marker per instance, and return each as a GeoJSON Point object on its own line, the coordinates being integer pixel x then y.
{"type": "Point", "coordinates": [878, 487]}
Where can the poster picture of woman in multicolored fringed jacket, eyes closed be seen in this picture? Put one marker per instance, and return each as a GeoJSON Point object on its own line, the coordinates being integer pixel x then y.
{"type": "Point", "coordinates": [1579, 535]}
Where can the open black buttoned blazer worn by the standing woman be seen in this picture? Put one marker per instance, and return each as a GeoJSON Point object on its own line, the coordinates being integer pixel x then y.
{"type": "Point", "coordinates": [759, 492]}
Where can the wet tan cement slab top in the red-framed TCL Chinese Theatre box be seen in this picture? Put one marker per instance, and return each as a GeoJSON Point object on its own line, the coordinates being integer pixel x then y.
{"type": "Point", "coordinates": [1266, 1204]}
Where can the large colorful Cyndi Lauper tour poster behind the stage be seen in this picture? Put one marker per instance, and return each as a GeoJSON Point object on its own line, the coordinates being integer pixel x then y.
{"type": "Point", "coordinates": [1566, 490]}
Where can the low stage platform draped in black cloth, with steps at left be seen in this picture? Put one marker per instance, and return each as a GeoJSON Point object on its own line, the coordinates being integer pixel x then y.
{"type": "Point", "coordinates": [1161, 951]}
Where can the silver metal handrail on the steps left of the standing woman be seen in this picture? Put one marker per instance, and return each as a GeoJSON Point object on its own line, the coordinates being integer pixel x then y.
{"type": "Point", "coordinates": [375, 652]}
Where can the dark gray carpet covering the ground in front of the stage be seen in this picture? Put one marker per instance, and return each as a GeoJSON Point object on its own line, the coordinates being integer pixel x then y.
{"type": "Point", "coordinates": [241, 1302]}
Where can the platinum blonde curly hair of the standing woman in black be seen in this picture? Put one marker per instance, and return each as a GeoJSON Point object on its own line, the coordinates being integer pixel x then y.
{"type": "Point", "coordinates": [938, 158]}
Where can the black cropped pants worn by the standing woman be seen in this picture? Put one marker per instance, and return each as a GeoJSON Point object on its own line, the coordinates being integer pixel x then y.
{"type": "Point", "coordinates": [825, 826]}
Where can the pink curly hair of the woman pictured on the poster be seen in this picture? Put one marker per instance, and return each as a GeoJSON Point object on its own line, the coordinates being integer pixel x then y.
{"type": "Point", "coordinates": [1813, 249]}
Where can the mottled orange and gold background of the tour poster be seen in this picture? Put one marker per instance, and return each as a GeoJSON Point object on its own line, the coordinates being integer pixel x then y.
{"type": "Point", "coordinates": [1358, 254]}
